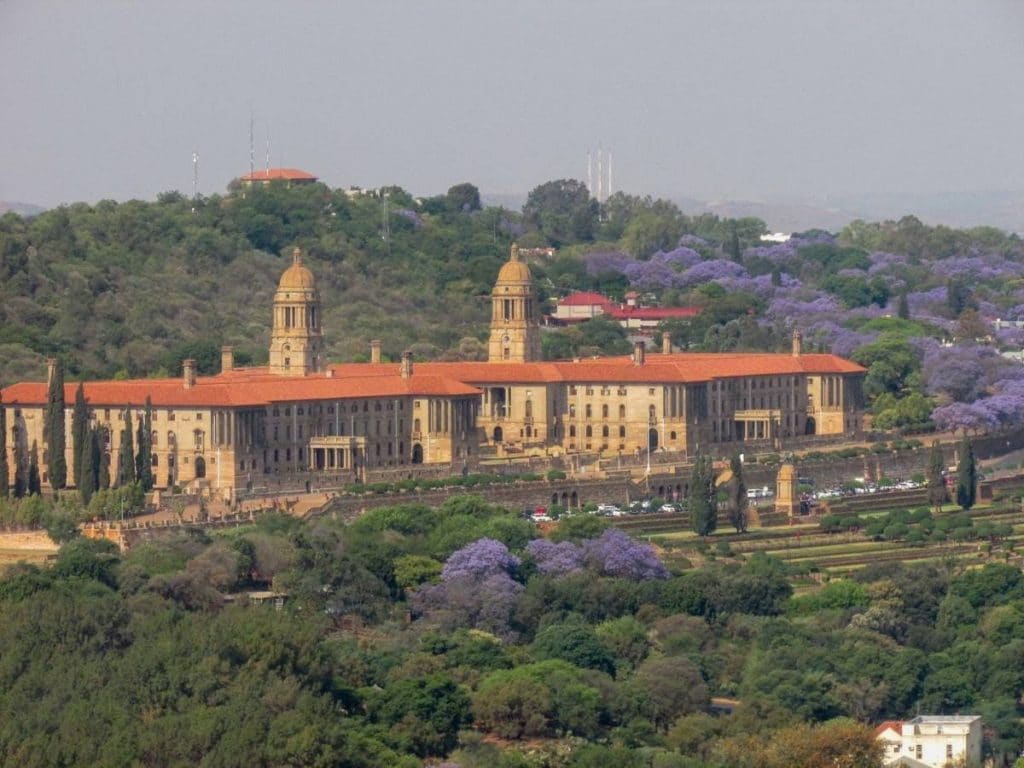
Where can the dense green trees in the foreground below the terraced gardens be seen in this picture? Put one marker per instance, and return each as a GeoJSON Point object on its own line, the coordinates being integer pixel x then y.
{"type": "Point", "coordinates": [457, 637]}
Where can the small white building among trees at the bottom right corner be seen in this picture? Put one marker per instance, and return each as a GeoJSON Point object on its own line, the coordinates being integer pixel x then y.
{"type": "Point", "coordinates": [933, 742]}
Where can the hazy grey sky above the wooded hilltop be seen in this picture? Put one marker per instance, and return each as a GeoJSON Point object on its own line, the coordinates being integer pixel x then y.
{"type": "Point", "coordinates": [770, 100]}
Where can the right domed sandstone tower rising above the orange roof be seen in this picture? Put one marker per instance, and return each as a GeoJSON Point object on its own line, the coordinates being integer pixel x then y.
{"type": "Point", "coordinates": [516, 330]}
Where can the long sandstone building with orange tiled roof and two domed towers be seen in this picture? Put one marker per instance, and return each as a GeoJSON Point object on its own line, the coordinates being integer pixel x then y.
{"type": "Point", "coordinates": [301, 421]}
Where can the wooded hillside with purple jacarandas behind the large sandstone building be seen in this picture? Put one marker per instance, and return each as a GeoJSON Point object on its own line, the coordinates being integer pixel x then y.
{"type": "Point", "coordinates": [131, 289]}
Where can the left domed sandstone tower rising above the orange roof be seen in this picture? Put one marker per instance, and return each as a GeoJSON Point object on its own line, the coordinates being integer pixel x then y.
{"type": "Point", "coordinates": [297, 338]}
